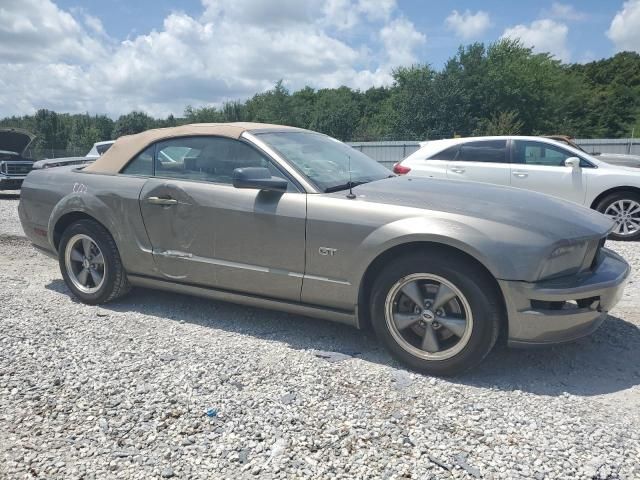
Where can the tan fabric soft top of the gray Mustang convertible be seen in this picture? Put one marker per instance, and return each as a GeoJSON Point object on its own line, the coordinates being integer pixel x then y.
{"type": "Point", "coordinates": [129, 145]}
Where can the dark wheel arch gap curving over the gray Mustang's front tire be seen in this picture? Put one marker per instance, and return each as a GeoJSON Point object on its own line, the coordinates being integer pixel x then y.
{"type": "Point", "coordinates": [411, 248]}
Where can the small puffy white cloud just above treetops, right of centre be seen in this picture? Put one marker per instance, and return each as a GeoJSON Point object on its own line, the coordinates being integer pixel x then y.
{"type": "Point", "coordinates": [543, 36]}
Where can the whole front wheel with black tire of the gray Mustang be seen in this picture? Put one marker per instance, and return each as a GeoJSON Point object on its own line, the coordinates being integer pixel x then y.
{"type": "Point", "coordinates": [437, 312]}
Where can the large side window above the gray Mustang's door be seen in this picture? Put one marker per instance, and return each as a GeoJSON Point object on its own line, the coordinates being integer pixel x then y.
{"type": "Point", "coordinates": [210, 159]}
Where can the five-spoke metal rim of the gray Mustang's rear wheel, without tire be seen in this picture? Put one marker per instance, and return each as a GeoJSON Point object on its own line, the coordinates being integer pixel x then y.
{"type": "Point", "coordinates": [84, 263]}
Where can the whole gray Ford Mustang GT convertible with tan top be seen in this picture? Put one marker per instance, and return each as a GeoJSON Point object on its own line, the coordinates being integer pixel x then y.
{"type": "Point", "coordinates": [289, 219]}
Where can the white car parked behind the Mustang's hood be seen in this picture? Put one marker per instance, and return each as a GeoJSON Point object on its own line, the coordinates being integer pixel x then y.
{"type": "Point", "coordinates": [538, 164]}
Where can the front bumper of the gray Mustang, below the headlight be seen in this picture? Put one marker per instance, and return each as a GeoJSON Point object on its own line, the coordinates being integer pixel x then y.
{"type": "Point", "coordinates": [564, 309]}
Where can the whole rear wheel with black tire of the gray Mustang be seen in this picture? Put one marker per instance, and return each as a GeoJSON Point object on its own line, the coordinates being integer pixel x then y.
{"type": "Point", "coordinates": [90, 263]}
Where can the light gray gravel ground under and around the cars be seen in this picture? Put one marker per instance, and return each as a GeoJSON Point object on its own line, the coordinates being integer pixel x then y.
{"type": "Point", "coordinates": [160, 385]}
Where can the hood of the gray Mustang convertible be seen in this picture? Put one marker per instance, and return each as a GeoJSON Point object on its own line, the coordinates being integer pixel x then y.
{"type": "Point", "coordinates": [549, 216]}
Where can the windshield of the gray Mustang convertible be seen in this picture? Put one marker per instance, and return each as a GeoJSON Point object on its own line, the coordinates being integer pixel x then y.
{"type": "Point", "coordinates": [324, 160]}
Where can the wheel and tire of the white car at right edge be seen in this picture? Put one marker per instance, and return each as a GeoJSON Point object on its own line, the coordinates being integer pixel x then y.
{"type": "Point", "coordinates": [624, 209]}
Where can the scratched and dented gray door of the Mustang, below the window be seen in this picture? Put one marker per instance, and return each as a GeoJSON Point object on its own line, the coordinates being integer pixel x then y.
{"type": "Point", "coordinates": [242, 240]}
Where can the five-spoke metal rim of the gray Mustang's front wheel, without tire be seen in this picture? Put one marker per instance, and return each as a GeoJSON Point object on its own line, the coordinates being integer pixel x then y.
{"type": "Point", "coordinates": [428, 316]}
